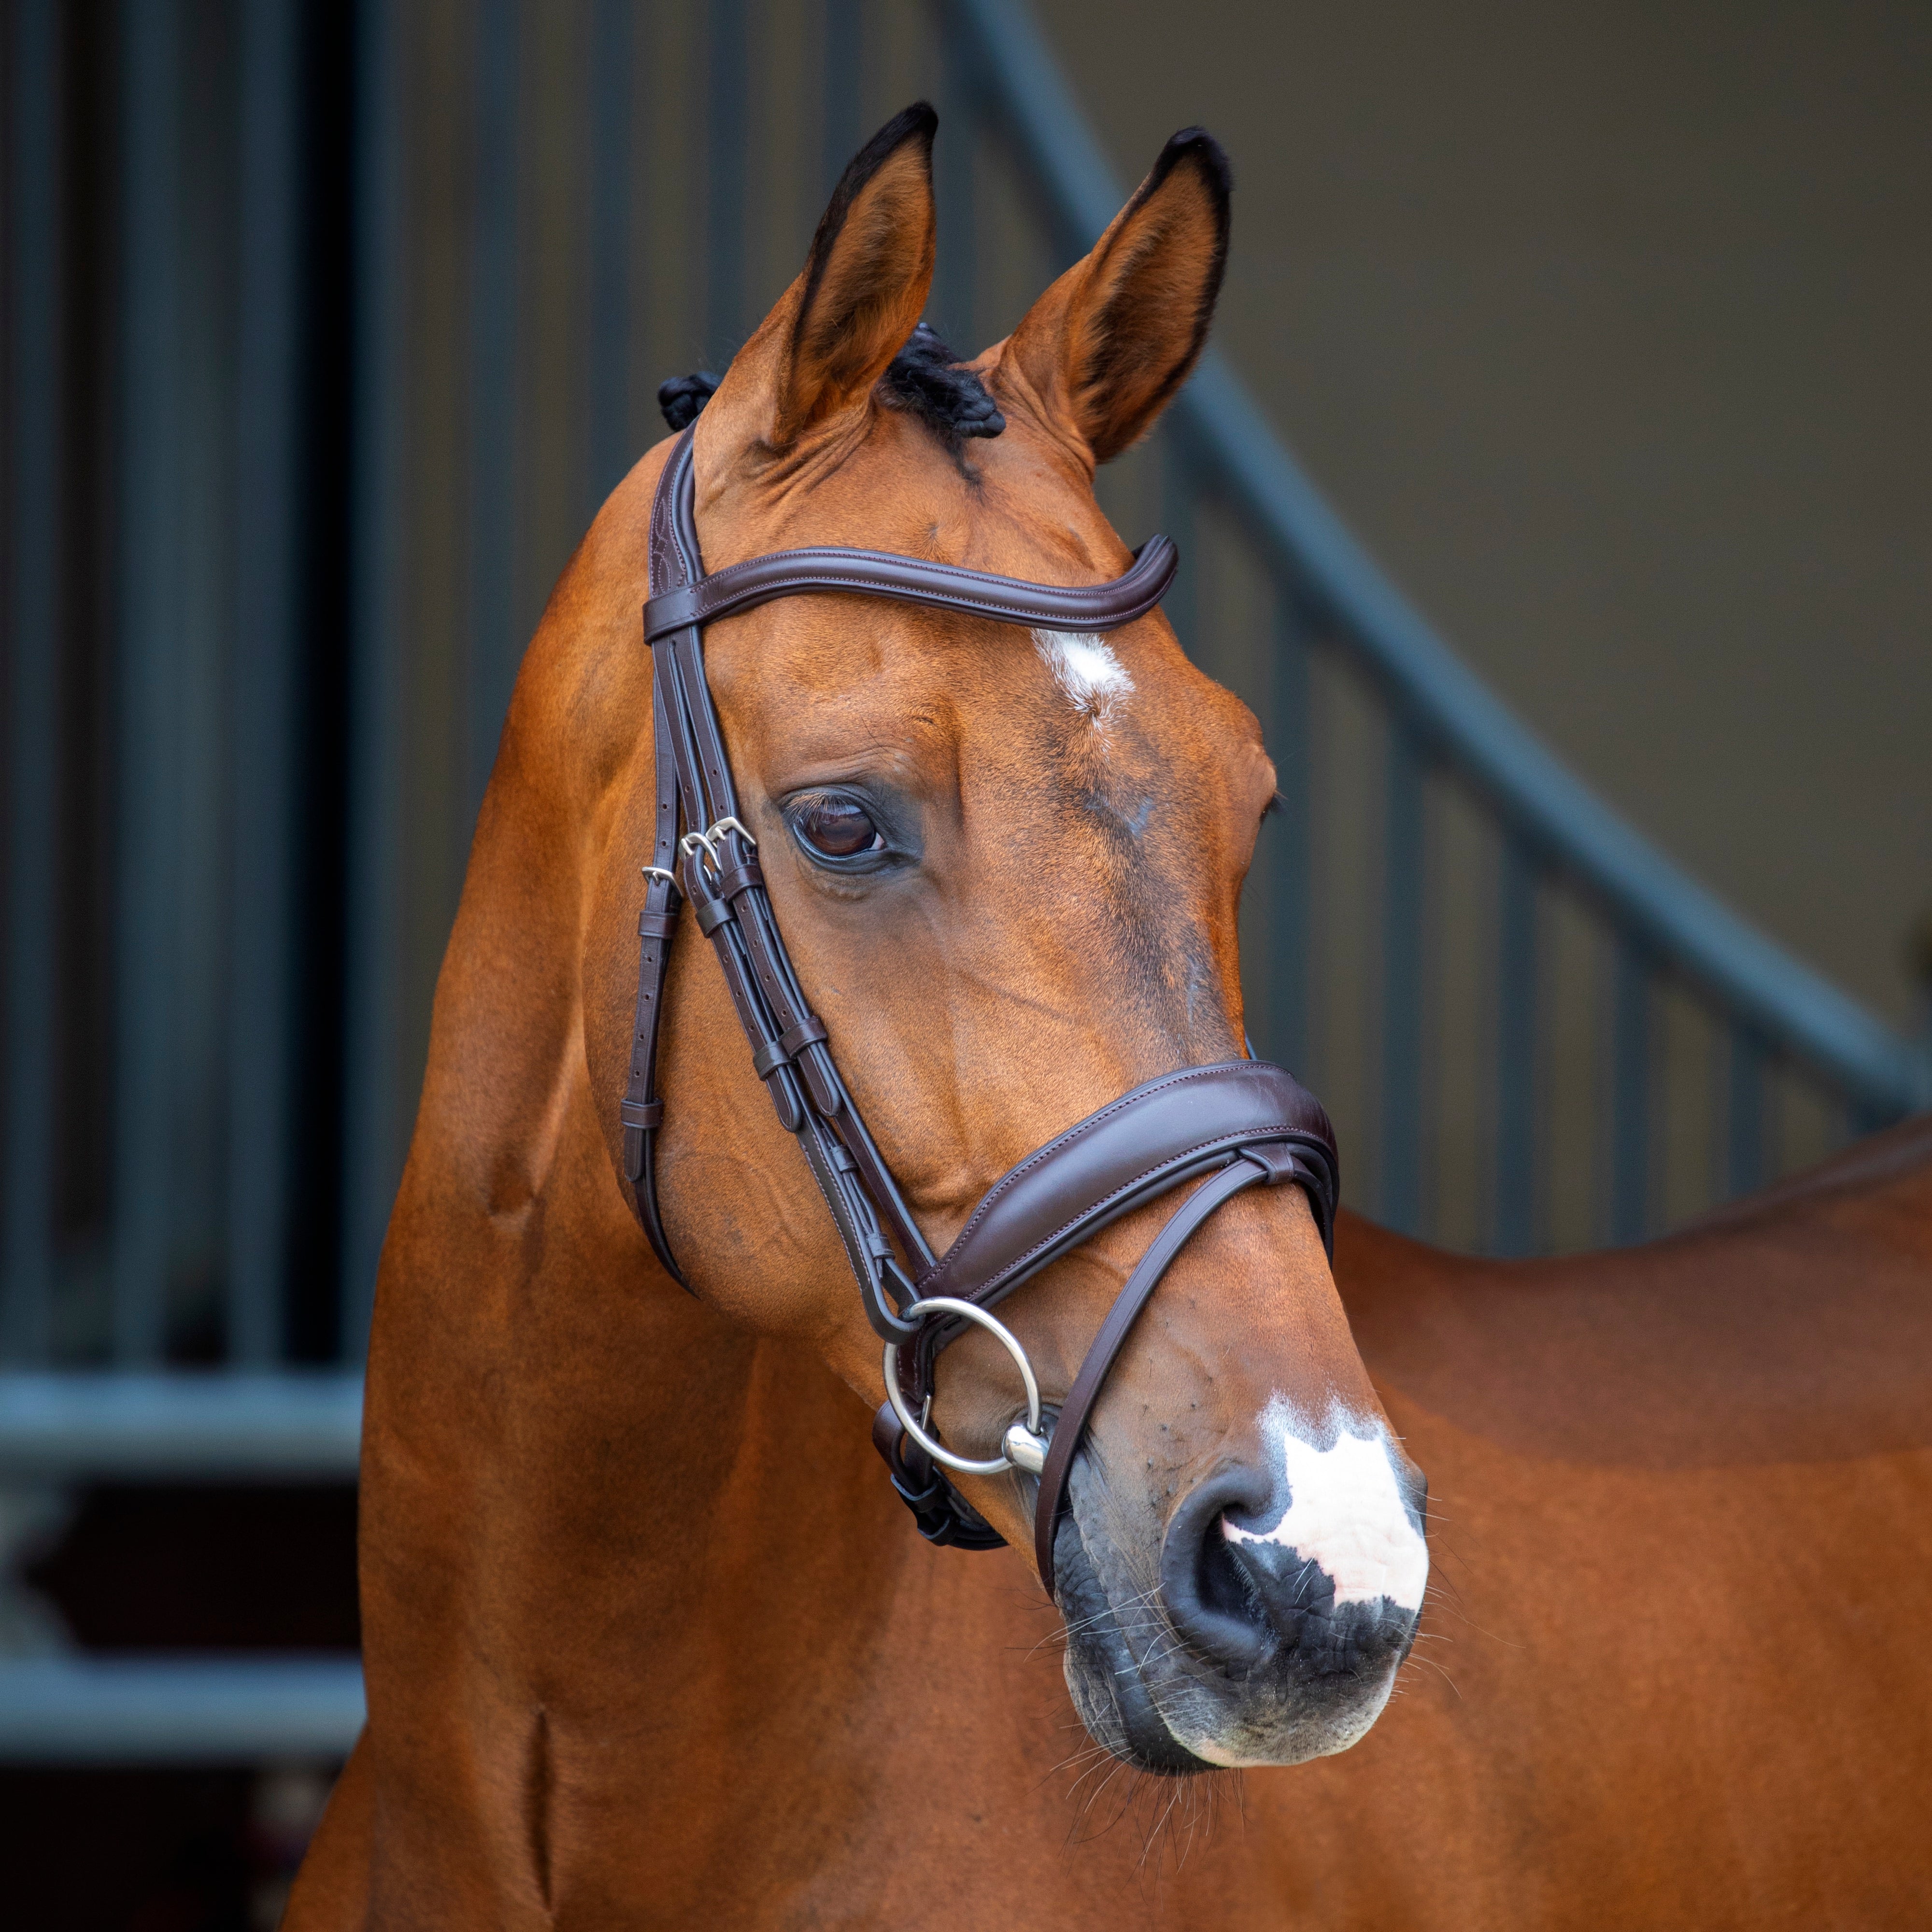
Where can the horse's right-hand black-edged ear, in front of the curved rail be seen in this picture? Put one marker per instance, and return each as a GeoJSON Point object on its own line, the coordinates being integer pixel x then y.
{"type": "Point", "coordinates": [1112, 341]}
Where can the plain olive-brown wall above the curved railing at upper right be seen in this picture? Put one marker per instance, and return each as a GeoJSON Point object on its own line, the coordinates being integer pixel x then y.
{"type": "Point", "coordinates": [1608, 331]}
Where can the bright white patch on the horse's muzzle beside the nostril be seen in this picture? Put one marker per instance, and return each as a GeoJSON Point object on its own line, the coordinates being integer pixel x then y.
{"type": "Point", "coordinates": [1346, 1512]}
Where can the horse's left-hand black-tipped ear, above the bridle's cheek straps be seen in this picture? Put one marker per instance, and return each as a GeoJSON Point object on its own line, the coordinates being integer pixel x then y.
{"type": "Point", "coordinates": [859, 298]}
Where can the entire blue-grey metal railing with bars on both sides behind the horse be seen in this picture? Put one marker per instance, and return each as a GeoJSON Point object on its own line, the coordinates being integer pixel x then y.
{"type": "Point", "coordinates": [312, 393]}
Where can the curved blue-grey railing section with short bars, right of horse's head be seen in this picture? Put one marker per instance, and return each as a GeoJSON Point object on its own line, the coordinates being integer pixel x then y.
{"type": "Point", "coordinates": [1761, 1040]}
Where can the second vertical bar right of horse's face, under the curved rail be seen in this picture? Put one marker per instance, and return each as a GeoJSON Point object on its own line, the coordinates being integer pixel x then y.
{"type": "Point", "coordinates": [1400, 1179]}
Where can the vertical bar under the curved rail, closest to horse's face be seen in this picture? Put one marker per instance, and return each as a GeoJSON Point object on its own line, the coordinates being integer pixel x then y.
{"type": "Point", "coordinates": [1292, 841]}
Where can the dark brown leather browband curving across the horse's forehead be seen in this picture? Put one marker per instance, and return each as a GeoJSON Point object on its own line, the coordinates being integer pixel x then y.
{"type": "Point", "coordinates": [915, 581]}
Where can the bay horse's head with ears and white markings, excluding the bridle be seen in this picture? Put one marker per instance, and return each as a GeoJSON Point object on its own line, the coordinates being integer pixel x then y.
{"type": "Point", "coordinates": [1008, 868]}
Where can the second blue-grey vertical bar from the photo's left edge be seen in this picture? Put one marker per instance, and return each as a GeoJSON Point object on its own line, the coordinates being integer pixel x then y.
{"type": "Point", "coordinates": [150, 669]}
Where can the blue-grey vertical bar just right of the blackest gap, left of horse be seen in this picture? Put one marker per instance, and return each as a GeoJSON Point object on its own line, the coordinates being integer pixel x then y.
{"type": "Point", "coordinates": [374, 1133]}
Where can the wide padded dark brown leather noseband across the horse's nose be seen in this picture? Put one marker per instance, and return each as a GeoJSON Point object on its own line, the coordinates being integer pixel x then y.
{"type": "Point", "coordinates": [1143, 1145]}
